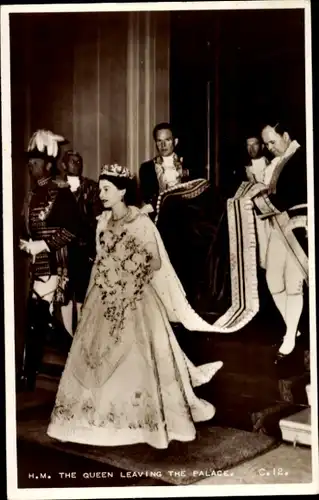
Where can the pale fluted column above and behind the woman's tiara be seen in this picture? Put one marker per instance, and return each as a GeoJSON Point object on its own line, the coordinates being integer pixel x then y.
{"type": "Point", "coordinates": [147, 82]}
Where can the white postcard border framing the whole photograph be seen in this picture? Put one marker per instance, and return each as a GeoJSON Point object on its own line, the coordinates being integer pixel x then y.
{"type": "Point", "coordinates": [136, 491]}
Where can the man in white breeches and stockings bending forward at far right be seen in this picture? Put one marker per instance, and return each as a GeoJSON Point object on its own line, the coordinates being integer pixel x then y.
{"type": "Point", "coordinates": [287, 253]}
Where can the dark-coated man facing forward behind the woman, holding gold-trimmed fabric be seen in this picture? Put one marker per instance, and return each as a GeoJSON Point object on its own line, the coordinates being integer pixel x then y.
{"type": "Point", "coordinates": [186, 212]}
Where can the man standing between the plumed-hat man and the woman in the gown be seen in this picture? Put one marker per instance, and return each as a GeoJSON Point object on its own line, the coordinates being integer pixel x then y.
{"type": "Point", "coordinates": [82, 250]}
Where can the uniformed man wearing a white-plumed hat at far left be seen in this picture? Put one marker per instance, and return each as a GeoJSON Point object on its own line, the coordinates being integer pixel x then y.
{"type": "Point", "coordinates": [50, 224]}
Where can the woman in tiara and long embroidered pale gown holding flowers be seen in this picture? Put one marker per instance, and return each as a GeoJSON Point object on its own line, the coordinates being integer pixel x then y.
{"type": "Point", "coordinates": [126, 379]}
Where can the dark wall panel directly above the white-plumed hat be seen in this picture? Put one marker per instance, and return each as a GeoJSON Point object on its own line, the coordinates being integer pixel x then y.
{"type": "Point", "coordinates": [50, 73]}
